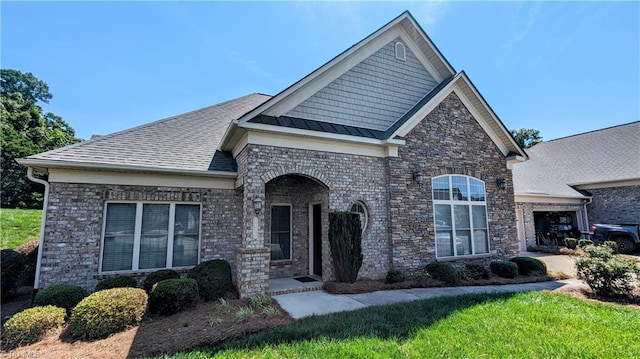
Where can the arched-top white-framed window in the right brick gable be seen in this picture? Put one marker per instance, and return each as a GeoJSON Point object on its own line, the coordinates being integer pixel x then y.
{"type": "Point", "coordinates": [460, 215]}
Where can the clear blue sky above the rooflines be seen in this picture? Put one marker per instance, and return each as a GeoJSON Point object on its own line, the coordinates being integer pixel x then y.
{"type": "Point", "coordinates": [559, 67]}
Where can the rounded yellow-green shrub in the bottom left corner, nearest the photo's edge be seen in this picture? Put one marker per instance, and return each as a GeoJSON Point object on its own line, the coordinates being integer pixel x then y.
{"type": "Point", "coordinates": [30, 325]}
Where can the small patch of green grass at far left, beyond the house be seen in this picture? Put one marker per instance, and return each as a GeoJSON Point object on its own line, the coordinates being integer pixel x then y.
{"type": "Point", "coordinates": [18, 226]}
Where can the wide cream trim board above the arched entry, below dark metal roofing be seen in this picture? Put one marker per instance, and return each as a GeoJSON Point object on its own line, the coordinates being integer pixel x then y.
{"type": "Point", "coordinates": [277, 139]}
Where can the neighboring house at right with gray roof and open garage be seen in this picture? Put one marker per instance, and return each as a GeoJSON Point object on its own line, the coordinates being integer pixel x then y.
{"type": "Point", "coordinates": [572, 182]}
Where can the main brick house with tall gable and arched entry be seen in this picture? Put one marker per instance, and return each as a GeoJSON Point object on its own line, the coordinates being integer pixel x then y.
{"type": "Point", "coordinates": [387, 129]}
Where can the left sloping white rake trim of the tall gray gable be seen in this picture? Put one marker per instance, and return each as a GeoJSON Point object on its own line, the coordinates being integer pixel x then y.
{"type": "Point", "coordinates": [375, 38]}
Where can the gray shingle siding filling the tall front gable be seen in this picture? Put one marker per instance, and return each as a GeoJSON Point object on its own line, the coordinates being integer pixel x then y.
{"type": "Point", "coordinates": [374, 94]}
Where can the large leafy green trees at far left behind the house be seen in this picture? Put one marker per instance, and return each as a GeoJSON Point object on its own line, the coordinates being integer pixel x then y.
{"type": "Point", "coordinates": [26, 130]}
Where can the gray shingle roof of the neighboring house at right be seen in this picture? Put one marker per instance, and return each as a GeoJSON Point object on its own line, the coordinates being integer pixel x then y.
{"type": "Point", "coordinates": [607, 155]}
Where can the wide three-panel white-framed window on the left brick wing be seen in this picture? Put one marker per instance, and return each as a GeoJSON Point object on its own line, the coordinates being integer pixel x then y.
{"type": "Point", "coordinates": [141, 236]}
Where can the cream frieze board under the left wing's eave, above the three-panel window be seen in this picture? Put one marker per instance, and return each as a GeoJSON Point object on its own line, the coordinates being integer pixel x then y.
{"type": "Point", "coordinates": [65, 175]}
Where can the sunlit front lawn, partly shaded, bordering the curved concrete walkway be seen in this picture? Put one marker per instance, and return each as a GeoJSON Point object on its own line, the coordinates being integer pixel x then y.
{"type": "Point", "coordinates": [523, 325]}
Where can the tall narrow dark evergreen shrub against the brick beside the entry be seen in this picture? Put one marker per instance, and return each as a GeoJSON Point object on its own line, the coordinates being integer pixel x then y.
{"type": "Point", "coordinates": [345, 239]}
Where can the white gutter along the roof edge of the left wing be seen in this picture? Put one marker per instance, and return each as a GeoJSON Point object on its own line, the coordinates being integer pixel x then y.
{"type": "Point", "coordinates": [50, 164]}
